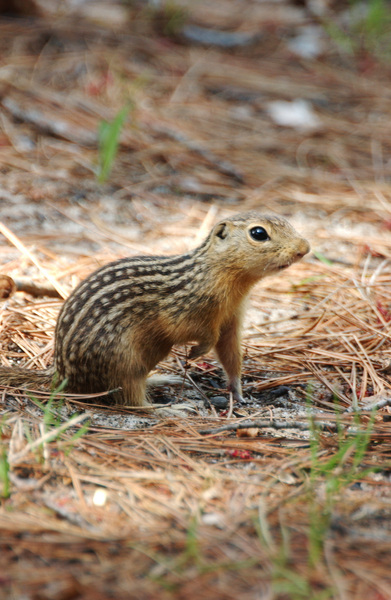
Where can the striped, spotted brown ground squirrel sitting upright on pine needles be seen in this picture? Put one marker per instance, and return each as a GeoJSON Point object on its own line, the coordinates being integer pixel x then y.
{"type": "Point", "coordinates": [125, 317]}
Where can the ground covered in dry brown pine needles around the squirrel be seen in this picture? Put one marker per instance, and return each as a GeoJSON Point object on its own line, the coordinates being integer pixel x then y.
{"type": "Point", "coordinates": [188, 513]}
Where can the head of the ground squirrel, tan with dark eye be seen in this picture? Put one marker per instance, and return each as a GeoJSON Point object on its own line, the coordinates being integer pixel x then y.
{"type": "Point", "coordinates": [257, 244]}
